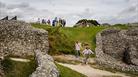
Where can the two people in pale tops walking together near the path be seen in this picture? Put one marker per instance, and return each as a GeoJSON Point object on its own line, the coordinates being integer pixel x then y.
{"type": "Point", "coordinates": [86, 52]}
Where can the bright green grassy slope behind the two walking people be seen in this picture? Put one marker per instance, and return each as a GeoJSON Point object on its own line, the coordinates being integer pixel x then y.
{"type": "Point", "coordinates": [84, 35]}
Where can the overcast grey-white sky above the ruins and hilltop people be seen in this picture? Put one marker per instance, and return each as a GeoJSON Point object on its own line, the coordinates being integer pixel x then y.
{"type": "Point", "coordinates": [104, 11]}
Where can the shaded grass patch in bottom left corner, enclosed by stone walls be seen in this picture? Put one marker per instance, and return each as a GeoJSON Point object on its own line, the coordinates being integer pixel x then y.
{"type": "Point", "coordinates": [18, 69]}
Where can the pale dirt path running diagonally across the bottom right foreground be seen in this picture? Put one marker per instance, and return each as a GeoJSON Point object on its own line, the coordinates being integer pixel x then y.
{"type": "Point", "coordinates": [91, 72]}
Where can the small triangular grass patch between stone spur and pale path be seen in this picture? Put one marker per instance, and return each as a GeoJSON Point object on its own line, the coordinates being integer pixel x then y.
{"type": "Point", "coordinates": [67, 72]}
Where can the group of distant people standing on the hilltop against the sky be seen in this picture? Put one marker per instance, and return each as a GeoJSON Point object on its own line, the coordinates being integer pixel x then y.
{"type": "Point", "coordinates": [56, 22]}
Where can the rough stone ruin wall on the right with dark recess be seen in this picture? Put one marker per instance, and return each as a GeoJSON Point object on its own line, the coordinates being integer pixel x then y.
{"type": "Point", "coordinates": [118, 49]}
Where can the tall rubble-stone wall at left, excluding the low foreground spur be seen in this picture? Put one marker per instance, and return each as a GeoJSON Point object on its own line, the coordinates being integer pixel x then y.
{"type": "Point", "coordinates": [20, 39]}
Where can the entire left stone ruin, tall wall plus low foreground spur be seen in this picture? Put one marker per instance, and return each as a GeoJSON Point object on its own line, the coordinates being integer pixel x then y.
{"type": "Point", "coordinates": [21, 39]}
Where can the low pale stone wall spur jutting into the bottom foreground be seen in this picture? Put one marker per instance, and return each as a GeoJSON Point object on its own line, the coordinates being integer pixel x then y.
{"type": "Point", "coordinates": [46, 66]}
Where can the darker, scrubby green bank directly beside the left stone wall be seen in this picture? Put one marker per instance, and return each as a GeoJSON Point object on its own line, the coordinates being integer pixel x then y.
{"type": "Point", "coordinates": [58, 41]}
